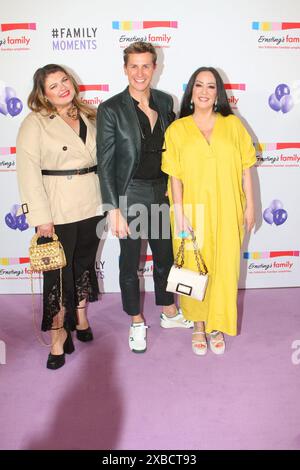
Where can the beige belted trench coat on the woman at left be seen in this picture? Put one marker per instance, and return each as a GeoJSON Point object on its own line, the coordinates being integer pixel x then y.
{"type": "Point", "coordinates": [49, 143]}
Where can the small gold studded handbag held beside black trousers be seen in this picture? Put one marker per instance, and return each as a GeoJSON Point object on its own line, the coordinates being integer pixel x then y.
{"type": "Point", "coordinates": [48, 256]}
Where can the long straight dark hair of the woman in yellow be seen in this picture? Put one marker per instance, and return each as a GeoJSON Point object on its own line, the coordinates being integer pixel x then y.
{"type": "Point", "coordinates": [223, 107]}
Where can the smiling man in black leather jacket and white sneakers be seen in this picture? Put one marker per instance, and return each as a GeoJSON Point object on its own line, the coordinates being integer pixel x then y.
{"type": "Point", "coordinates": [130, 135]}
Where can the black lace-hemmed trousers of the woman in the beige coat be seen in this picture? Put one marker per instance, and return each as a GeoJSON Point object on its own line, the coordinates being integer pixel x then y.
{"type": "Point", "coordinates": [79, 281]}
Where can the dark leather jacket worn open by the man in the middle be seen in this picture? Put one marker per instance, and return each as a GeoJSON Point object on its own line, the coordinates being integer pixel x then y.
{"type": "Point", "coordinates": [119, 141]}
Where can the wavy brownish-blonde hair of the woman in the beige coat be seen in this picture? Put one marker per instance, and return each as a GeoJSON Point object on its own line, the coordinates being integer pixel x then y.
{"type": "Point", "coordinates": [37, 101]}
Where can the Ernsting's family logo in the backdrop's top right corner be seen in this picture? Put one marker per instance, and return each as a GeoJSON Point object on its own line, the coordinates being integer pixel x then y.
{"type": "Point", "coordinates": [277, 35]}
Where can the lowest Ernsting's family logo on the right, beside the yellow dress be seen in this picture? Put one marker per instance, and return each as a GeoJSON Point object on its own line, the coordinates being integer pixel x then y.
{"type": "Point", "coordinates": [274, 262]}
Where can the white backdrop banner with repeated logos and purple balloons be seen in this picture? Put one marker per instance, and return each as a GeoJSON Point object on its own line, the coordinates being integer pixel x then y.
{"type": "Point", "coordinates": [256, 48]}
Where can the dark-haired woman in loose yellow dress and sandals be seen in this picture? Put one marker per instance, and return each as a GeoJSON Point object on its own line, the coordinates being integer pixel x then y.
{"type": "Point", "coordinates": [208, 158]}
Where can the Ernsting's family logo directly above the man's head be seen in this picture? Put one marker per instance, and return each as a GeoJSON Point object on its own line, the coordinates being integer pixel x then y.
{"type": "Point", "coordinates": [161, 36]}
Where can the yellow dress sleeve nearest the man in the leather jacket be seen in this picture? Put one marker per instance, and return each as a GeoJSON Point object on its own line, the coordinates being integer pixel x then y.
{"type": "Point", "coordinates": [171, 157]}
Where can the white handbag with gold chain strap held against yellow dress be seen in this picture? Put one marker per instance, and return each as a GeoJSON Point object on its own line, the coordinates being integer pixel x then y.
{"type": "Point", "coordinates": [185, 281]}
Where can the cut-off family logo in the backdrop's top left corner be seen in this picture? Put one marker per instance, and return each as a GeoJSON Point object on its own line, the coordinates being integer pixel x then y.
{"type": "Point", "coordinates": [16, 36]}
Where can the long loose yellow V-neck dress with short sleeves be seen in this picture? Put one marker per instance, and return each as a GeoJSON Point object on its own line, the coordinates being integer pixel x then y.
{"type": "Point", "coordinates": [214, 202]}
